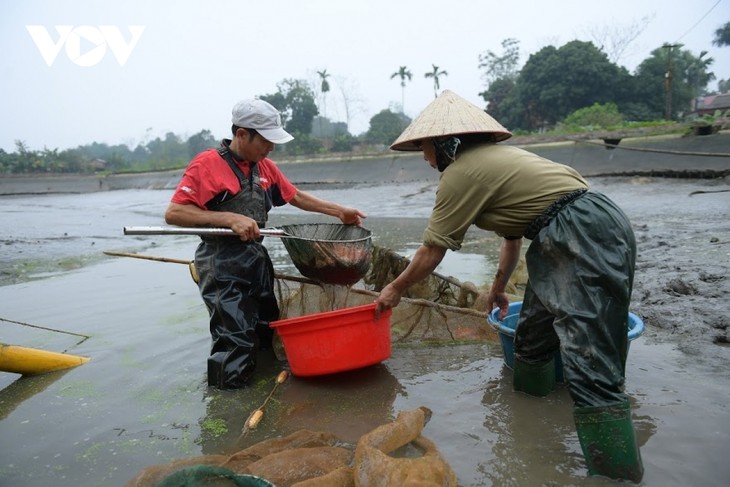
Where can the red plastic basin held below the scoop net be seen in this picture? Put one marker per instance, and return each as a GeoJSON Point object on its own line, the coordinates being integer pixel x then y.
{"type": "Point", "coordinates": [335, 341]}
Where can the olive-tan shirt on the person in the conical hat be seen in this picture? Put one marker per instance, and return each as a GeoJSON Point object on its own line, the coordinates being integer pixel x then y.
{"type": "Point", "coordinates": [495, 187]}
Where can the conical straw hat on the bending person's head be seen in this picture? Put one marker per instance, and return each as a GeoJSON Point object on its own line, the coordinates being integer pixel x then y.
{"type": "Point", "coordinates": [449, 114]}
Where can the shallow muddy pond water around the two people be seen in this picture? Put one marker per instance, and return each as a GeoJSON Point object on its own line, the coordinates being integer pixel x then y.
{"type": "Point", "coordinates": [142, 398]}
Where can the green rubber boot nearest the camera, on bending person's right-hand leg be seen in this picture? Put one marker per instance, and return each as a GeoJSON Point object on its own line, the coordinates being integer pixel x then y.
{"type": "Point", "coordinates": [608, 441]}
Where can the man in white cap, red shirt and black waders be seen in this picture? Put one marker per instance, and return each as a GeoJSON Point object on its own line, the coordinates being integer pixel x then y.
{"type": "Point", "coordinates": [234, 187]}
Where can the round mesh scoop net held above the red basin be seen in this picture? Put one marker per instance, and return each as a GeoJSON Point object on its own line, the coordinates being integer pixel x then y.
{"type": "Point", "coordinates": [331, 253]}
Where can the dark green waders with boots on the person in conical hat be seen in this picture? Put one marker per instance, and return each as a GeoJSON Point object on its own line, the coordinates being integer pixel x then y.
{"type": "Point", "coordinates": [581, 270]}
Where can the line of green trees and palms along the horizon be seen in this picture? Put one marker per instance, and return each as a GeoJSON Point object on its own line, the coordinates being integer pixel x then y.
{"type": "Point", "coordinates": [575, 84]}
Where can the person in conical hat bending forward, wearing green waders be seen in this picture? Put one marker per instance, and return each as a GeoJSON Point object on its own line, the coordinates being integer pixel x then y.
{"type": "Point", "coordinates": [580, 263]}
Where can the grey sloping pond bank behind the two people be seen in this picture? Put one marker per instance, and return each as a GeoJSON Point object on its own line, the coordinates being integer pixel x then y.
{"type": "Point", "coordinates": [655, 156]}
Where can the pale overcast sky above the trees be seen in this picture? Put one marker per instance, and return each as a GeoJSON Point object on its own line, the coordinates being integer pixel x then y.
{"type": "Point", "coordinates": [182, 64]}
